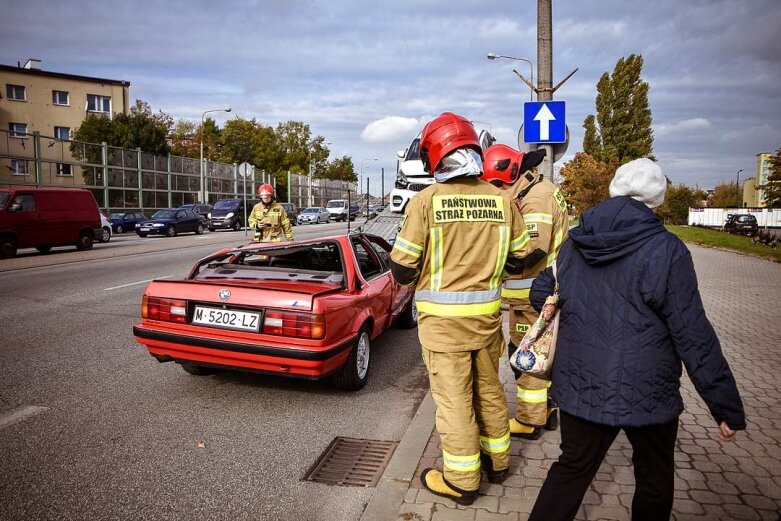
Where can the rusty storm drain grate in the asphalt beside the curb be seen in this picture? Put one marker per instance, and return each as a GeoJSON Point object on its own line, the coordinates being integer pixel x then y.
{"type": "Point", "coordinates": [353, 463]}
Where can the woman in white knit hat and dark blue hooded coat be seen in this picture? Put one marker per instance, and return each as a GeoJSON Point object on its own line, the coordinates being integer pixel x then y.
{"type": "Point", "coordinates": [630, 314]}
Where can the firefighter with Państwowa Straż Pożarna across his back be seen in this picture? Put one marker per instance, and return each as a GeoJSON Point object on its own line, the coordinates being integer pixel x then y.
{"type": "Point", "coordinates": [457, 239]}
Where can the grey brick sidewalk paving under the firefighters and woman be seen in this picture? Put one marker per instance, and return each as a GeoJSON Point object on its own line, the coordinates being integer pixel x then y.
{"type": "Point", "coordinates": [714, 480]}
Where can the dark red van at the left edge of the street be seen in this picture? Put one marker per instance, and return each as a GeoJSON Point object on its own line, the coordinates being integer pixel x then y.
{"type": "Point", "coordinates": [44, 217]}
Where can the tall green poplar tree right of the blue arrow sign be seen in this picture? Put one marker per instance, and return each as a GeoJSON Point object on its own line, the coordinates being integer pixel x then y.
{"type": "Point", "coordinates": [622, 130]}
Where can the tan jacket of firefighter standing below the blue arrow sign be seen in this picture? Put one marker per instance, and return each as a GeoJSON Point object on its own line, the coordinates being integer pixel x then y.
{"type": "Point", "coordinates": [544, 212]}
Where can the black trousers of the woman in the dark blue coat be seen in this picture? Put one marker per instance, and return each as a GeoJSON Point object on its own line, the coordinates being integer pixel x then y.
{"type": "Point", "coordinates": [583, 447]}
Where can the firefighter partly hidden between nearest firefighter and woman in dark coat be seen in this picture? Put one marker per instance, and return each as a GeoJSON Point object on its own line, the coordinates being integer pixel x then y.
{"type": "Point", "coordinates": [544, 212]}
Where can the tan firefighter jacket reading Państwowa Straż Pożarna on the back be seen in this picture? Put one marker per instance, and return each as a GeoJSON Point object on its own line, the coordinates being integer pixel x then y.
{"type": "Point", "coordinates": [457, 236]}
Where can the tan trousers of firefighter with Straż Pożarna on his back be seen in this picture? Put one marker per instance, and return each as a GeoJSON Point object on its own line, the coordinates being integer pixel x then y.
{"type": "Point", "coordinates": [471, 411]}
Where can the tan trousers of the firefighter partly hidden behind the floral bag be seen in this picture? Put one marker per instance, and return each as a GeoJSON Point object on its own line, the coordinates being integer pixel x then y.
{"type": "Point", "coordinates": [532, 404]}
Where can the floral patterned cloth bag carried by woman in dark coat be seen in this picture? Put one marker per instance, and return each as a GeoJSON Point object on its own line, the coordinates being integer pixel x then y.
{"type": "Point", "coordinates": [538, 346]}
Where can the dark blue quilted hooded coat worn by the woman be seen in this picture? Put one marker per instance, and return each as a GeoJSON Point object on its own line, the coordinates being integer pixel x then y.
{"type": "Point", "coordinates": [630, 314]}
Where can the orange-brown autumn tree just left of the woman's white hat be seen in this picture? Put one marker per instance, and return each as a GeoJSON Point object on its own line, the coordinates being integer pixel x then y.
{"type": "Point", "coordinates": [586, 181]}
